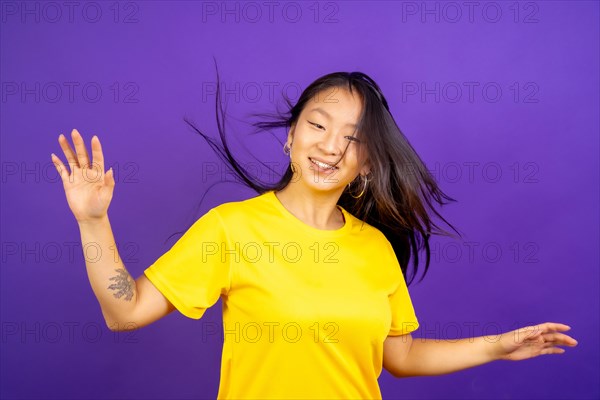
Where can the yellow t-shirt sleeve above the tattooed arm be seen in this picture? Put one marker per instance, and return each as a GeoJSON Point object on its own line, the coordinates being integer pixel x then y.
{"type": "Point", "coordinates": [195, 272]}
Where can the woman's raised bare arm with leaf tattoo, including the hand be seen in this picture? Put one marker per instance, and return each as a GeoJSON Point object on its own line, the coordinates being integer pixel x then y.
{"type": "Point", "coordinates": [126, 304]}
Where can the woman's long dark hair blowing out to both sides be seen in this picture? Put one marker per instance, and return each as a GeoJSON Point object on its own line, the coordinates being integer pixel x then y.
{"type": "Point", "coordinates": [400, 195]}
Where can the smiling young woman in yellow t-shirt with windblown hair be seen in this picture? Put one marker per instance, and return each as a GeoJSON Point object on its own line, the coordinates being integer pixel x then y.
{"type": "Point", "coordinates": [312, 270]}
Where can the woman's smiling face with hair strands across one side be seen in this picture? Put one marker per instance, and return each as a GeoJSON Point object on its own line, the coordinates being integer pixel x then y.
{"type": "Point", "coordinates": [323, 130]}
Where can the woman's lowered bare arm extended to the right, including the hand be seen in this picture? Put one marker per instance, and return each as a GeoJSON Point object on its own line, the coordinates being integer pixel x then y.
{"type": "Point", "coordinates": [405, 356]}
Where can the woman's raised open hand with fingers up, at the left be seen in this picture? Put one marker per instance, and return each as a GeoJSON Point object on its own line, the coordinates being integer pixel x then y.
{"type": "Point", "coordinates": [88, 188]}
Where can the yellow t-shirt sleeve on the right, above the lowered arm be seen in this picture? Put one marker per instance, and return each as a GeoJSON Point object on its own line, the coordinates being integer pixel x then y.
{"type": "Point", "coordinates": [404, 319]}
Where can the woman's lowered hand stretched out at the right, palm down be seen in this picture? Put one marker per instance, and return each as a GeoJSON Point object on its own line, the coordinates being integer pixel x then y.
{"type": "Point", "coordinates": [532, 341]}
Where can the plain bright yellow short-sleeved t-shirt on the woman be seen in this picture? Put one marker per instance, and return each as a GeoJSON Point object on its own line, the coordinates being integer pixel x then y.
{"type": "Point", "coordinates": [305, 310]}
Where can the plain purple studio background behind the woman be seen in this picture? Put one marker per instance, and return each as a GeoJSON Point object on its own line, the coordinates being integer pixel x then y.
{"type": "Point", "coordinates": [522, 162]}
